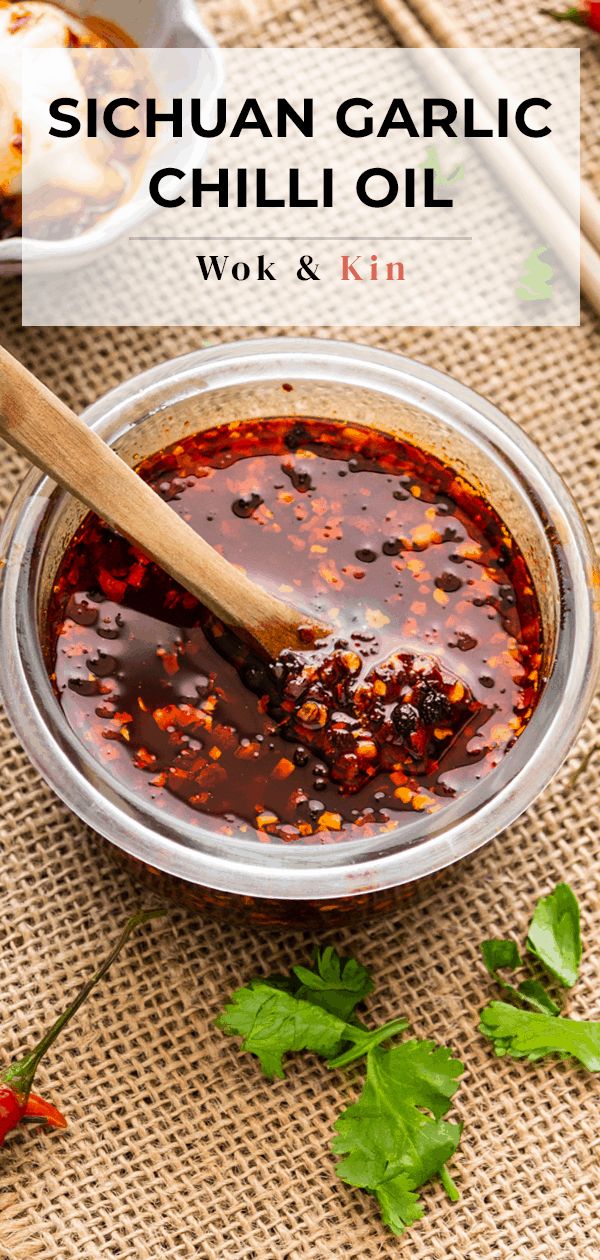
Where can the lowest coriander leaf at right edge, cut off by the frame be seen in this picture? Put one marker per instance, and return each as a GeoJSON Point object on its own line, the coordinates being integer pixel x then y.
{"type": "Point", "coordinates": [531, 1035]}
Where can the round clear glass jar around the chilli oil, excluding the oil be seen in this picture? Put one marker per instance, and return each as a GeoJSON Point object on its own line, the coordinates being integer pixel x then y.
{"type": "Point", "coordinates": [342, 382]}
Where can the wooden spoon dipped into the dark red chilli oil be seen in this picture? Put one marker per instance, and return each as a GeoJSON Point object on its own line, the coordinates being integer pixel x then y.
{"type": "Point", "coordinates": [41, 427]}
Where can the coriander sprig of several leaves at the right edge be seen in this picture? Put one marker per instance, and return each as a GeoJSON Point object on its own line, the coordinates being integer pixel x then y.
{"type": "Point", "coordinates": [555, 941]}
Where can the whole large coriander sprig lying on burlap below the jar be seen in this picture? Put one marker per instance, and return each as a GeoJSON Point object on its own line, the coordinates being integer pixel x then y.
{"type": "Point", "coordinates": [394, 1137]}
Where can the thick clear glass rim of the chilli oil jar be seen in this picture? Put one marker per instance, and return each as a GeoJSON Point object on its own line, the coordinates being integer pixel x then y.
{"type": "Point", "coordinates": [355, 866]}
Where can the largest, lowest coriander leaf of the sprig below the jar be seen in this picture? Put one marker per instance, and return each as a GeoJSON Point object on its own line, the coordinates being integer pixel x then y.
{"type": "Point", "coordinates": [391, 1143]}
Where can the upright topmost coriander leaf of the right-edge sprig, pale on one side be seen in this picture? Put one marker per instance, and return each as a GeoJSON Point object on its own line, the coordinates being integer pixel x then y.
{"type": "Point", "coordinates": [555, 936]}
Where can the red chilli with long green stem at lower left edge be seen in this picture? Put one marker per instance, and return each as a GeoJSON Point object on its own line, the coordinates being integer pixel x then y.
{"type": "Point", "coordinates": [17, 1102]}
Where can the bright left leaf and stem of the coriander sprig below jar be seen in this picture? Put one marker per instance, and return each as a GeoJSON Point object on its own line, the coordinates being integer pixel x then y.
{"type": "Point", "coordinates": [274, 1022]}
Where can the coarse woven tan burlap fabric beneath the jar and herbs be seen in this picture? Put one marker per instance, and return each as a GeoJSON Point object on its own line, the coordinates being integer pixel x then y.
{"type": "Point", "coordinates": [177, 1147]}
